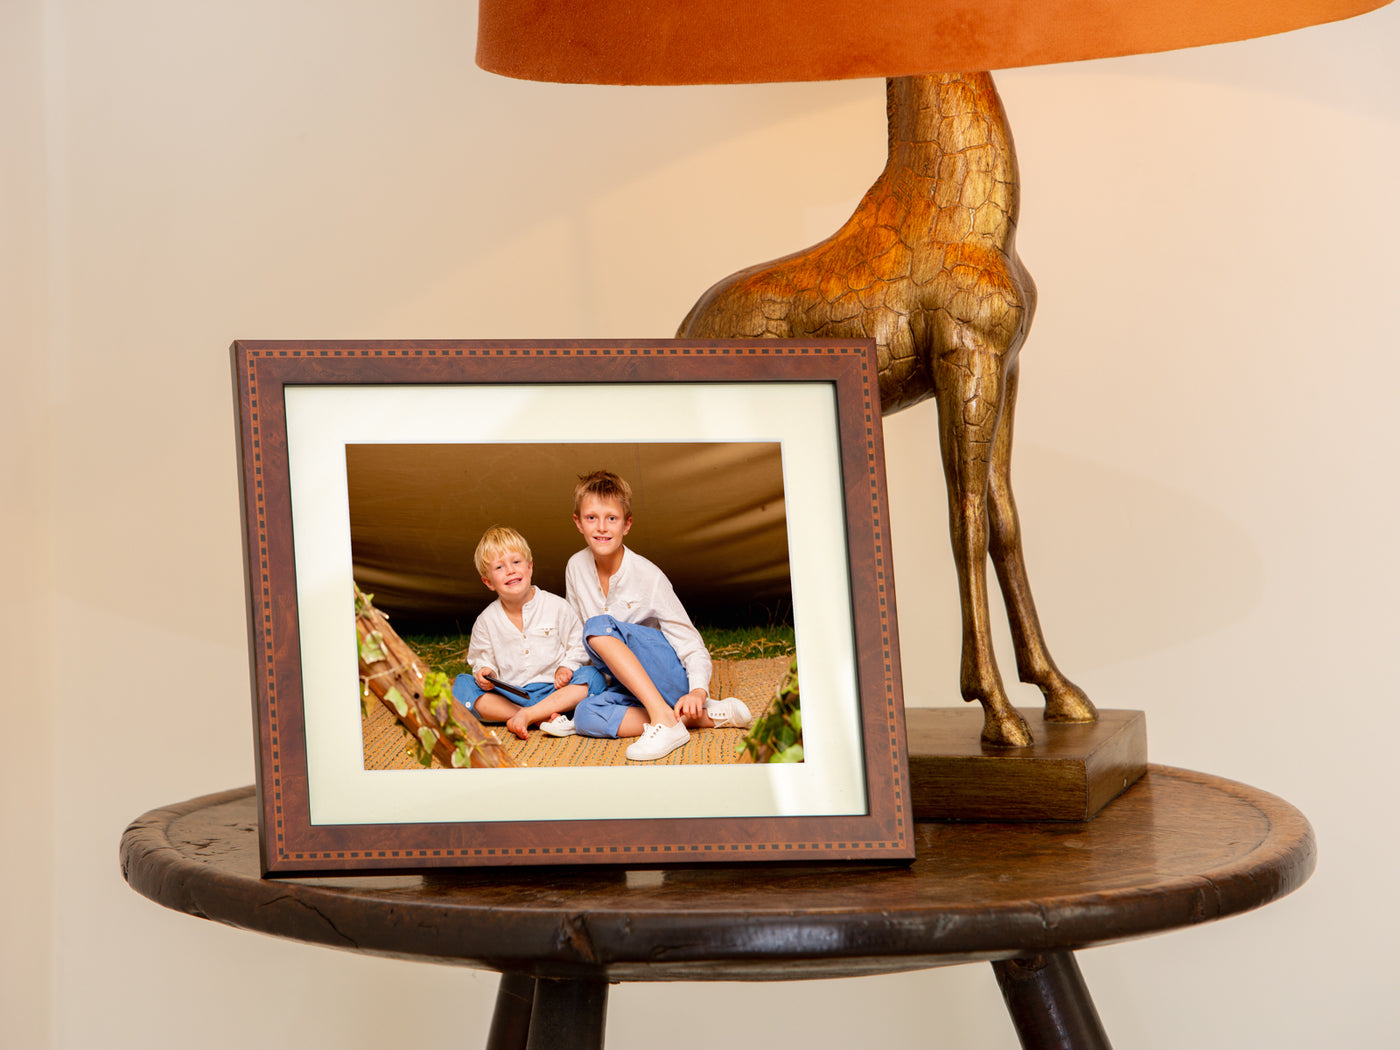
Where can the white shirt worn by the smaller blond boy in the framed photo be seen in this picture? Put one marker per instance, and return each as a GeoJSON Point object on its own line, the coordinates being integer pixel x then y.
{"type": "Point", "coordinates": [554, 638]}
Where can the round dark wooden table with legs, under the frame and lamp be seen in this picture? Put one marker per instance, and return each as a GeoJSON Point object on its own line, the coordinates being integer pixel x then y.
{"type": "Point", "coordinates": [1175, 850]}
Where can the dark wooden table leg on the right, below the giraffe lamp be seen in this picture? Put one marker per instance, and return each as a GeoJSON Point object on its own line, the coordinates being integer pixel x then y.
{"type": "Point", "coordinates": [1049, 1003]}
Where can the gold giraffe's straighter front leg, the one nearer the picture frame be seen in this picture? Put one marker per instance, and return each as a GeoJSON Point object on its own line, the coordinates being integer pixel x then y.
{"type": "Point", "coordinates": [971, 394]}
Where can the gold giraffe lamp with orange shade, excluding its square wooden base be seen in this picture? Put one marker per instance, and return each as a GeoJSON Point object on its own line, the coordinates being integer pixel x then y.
{"type": "Point", "coordinates": [927, 265]}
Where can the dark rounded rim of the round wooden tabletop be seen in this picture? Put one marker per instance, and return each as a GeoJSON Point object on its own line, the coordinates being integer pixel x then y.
{"type": "Point", "coordinates": [593, 944]}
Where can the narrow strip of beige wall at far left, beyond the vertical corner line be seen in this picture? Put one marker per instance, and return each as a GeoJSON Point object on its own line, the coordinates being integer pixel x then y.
{"type": "Point", "coordinates": [26, 614]}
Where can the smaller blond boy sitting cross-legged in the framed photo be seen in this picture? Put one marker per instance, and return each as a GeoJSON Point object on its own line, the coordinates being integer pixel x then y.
{"type": "Point", "coordinates": [527, 638]}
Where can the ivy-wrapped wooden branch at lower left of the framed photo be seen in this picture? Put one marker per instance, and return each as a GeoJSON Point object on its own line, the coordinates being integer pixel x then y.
{"type": "Point", "coordinates": [398, 678]}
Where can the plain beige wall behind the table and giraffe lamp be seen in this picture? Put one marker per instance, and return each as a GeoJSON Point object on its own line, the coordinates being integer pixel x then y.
{"type": "Point", "coordinates": [1206, 458]}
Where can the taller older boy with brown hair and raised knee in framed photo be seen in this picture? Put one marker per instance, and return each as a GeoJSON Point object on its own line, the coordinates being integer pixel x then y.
{"type": "Point", "coordinates": [639, 633]}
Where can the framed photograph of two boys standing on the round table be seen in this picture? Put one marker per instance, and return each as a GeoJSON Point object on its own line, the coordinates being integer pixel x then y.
{"type": "Point", "coordinates": [372, 471]}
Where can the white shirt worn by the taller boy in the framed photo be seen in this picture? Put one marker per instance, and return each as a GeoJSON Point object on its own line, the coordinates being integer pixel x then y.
{"type": "Point", "coordinates": [639, 593]}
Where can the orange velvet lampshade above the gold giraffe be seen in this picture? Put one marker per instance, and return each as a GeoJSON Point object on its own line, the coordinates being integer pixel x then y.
{"type": "Point", "coordinates": [751, 41]}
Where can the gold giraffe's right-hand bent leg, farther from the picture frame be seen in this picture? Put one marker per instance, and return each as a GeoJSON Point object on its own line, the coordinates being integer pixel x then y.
{"type": "Point", "coordinates": [1065, 701]}
